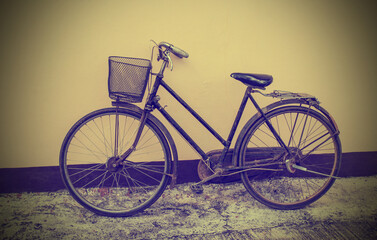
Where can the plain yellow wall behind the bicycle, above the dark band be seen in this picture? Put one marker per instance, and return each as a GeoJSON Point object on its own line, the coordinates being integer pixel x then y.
{"type": "Point", "coordinates": [54, 63]}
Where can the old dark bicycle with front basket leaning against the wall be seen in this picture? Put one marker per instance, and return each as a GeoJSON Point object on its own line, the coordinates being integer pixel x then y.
{"type": "Point", "coordinates": [118, 161]}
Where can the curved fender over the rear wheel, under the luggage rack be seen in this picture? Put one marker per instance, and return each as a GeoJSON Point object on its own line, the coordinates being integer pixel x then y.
{"type": "Point", "coordinates": [286, 102]}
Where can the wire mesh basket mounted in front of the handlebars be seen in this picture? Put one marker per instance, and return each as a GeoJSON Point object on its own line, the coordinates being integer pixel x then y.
{"type": "Point", "coordinates": [128, 78]}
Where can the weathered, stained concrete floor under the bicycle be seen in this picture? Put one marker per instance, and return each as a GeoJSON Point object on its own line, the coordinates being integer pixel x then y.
{"type": "Point", "coordinates": [223, 211]}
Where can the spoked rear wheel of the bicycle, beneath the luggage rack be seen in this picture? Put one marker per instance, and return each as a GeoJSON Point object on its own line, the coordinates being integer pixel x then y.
{"type": "Point", "coordinates": [289, 182]}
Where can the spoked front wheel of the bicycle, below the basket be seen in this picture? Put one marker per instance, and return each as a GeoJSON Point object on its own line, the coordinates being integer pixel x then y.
{"type": "Point", "coordinates": [87, 162]}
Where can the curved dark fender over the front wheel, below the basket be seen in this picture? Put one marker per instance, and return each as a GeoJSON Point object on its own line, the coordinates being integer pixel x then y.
{"type": "Point", "coordinates": [172, 145]}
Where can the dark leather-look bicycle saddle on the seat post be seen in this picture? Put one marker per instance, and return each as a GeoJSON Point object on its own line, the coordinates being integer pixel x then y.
{"type": "Point", "coordinates": [253, 80]}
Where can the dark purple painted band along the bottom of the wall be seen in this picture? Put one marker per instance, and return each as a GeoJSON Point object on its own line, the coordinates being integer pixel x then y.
{"type": "Point", "coordinates": [47, 179]}
